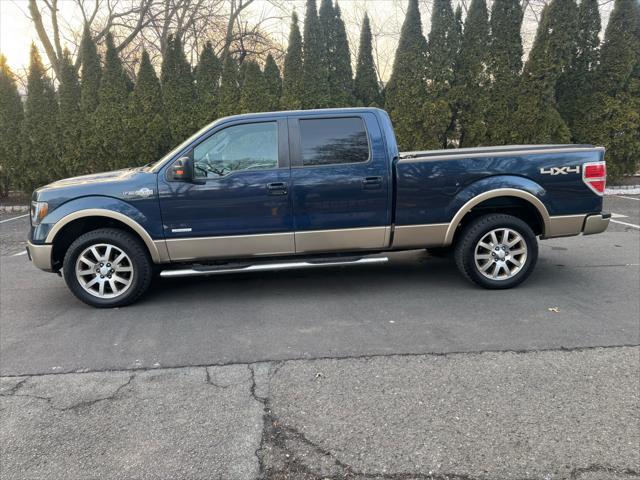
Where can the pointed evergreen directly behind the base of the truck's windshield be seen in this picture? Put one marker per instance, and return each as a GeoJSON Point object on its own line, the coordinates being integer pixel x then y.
{"type": "Point", "coordinates": [148, 129]}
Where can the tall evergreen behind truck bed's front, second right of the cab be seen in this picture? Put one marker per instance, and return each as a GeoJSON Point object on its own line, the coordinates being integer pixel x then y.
{"type": "Point", "coordinates": [442, 47]}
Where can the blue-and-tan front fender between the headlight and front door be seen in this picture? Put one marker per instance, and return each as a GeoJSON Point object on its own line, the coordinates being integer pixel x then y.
{"type": "Point", "coordinates": [108, 207]}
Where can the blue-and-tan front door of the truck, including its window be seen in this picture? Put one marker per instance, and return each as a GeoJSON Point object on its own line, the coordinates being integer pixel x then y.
{"type": "Point", "coordinates": [238, 204]}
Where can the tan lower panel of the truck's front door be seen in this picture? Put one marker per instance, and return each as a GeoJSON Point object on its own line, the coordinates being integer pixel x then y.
{"type": "Point", "coordinates": [231, 246]}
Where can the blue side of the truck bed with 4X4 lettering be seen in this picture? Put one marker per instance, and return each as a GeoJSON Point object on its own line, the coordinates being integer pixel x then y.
{"type": "Point", "coordinates": [433, 185]}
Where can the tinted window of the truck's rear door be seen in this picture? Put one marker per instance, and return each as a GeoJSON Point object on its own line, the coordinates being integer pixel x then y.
{"type": "Point", "coordinates": [327, 141]}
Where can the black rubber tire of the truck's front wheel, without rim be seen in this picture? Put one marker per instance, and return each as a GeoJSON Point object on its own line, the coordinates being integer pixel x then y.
{"type": "Point", "coordinates": [140, 277]}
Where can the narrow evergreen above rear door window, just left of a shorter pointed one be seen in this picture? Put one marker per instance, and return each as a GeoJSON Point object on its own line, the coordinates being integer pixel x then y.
{"type": "Point", "coordinates": [339, 62]}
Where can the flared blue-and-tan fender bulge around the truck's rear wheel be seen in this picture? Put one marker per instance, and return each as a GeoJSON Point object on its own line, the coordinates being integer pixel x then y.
{"type": "Point", "coordinates": [493, 187]}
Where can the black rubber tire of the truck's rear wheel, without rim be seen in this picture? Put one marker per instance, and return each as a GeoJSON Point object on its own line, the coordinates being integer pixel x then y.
{"type": "Point", "coordinates": [473, 233]}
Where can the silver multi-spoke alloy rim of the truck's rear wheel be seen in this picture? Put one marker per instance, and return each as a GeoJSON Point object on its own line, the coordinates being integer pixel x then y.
{"type": "Point", "coordinates": [500, 254]}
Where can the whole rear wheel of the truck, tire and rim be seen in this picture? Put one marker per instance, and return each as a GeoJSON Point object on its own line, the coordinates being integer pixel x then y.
{"type": "Point", "coordinates": [496, 251]}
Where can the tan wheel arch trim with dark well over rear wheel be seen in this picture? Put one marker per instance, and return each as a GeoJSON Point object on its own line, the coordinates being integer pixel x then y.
{"type": "Point", "coordinates": [476, 203]}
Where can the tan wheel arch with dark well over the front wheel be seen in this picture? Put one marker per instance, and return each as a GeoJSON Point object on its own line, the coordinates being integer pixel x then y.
{"type": "Point", "coordinates": [68, 228]}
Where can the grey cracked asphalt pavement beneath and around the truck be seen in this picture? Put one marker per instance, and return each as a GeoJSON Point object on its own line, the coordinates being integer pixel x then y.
{"type": "Point", "coordinates": [398, 372]}
